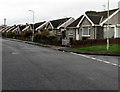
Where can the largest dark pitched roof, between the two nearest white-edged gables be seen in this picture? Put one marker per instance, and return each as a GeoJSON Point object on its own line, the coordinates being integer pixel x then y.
{"type": "Point", "coordinates": [97, 17]}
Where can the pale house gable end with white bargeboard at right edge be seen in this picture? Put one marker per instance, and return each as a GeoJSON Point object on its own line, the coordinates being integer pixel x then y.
{"type": "Point", "coordinates": [114, 24]}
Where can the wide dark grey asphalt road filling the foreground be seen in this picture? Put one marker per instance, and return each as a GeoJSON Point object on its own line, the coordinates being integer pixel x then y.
{"type": "Point", "coordinates": [30, 67]}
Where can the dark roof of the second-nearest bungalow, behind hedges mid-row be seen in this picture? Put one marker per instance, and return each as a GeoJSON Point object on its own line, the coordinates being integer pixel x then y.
{"type": "Point", "coordinates": [58, 22]}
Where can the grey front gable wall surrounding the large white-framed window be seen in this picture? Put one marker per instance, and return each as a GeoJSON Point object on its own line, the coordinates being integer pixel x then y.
{"type": "Point", "coordinates": [92, 29]}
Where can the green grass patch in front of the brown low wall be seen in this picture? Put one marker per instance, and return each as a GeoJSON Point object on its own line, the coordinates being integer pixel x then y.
{"type": "Point", "coordinates": [102, 48]}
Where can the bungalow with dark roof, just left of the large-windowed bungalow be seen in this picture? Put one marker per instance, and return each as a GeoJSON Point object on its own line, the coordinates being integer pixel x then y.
{"type": "Point", "coordinates": [58, 27]}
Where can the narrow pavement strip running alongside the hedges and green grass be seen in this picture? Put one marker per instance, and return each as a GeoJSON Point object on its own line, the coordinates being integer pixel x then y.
{"type": "Point", "coordinates": [68, 49]}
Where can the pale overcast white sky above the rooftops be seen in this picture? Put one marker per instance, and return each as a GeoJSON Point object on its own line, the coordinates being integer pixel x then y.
{"type": "Point", "coordinates": [16, 11]}
